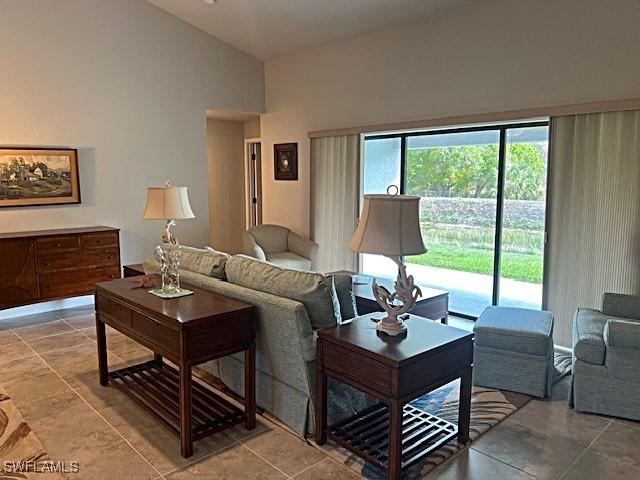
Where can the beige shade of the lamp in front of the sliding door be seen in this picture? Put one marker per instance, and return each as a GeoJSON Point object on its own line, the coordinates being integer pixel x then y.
{"type": "Point", "coordinates": [389, 225]}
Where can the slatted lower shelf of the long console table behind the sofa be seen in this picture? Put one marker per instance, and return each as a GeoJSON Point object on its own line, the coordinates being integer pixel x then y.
{"type": "Point", "coordinates": [156, 387]}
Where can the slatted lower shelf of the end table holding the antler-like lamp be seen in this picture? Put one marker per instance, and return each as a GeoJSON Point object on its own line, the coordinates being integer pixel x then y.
{"type": "Point", "coordinates": [367, 434]}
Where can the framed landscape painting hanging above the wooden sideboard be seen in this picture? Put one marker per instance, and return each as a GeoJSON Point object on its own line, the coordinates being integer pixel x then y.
{"type": "Point", "coordinates": [38, 177]}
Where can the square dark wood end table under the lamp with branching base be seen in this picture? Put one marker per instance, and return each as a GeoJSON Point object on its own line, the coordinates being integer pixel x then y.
{"type": "Point", "coordinates": [393, 435]}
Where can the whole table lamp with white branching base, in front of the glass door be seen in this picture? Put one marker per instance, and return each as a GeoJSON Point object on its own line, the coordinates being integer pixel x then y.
{"type": "Point", "coordinates": [390, 225]}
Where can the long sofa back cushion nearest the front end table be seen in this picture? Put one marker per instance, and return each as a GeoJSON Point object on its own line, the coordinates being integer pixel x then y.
{"type": "Point", "coordinates": [314, 290]}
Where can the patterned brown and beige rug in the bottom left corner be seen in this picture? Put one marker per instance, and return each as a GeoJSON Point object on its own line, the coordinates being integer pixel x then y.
{"type": "Point", "coordinates": [22, 455]}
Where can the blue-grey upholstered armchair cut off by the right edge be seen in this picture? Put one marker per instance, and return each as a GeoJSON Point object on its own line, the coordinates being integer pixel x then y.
{"type": "Point", "coordinates": [606, 358]}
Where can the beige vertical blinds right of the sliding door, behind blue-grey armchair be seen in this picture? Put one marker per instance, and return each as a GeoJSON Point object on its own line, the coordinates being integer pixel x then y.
{"type": "Point", "coordinates": [593, 220]}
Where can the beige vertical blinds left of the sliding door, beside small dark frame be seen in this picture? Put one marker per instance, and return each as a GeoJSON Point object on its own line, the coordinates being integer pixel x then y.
{"type": "Point", "coordinates": [334, 199]}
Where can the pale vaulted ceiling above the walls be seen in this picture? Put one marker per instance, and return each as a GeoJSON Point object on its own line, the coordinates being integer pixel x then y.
{"type": "Point", "coordinates": [267, 29]}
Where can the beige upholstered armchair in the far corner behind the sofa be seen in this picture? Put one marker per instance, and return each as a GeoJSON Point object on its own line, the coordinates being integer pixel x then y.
{"type": "Point", "coordinates": [280, 246]}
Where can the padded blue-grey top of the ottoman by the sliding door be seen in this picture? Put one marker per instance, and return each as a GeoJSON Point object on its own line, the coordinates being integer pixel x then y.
{"type": "Point", "coordinates": [515, 329]}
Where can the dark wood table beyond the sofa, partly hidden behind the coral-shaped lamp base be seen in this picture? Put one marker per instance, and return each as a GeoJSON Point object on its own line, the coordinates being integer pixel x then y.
{"type": "Point", "coordinates": [433, 304]}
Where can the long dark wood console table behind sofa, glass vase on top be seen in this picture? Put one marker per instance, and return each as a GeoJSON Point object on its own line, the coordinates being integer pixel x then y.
{"type": "Point", "coordinates": [187, 331]}
